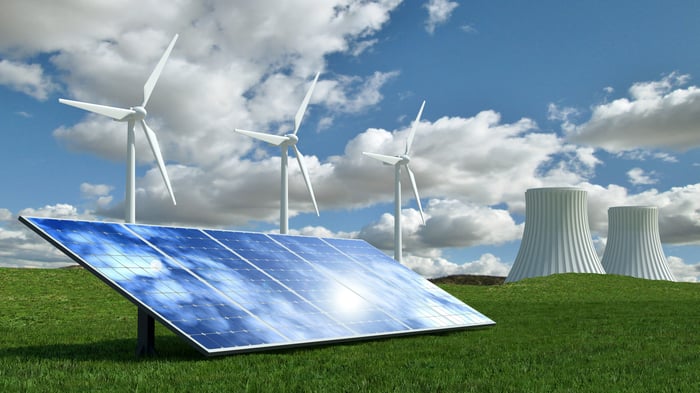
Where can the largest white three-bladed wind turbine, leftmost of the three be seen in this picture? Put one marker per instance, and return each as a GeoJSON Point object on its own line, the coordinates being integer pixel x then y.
{"type": "Point", "coordinates": [133, 115]}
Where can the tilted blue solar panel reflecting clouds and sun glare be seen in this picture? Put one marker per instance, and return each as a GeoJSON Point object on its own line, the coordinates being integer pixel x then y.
{"type": "Point", "coordinates": [227, 291]}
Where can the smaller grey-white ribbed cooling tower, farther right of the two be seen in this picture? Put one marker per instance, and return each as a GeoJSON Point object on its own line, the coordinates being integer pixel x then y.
{"type": "Point", "coordinates": [634, 246]}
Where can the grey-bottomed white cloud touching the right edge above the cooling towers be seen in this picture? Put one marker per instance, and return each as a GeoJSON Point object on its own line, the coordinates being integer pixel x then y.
{"type": "Point", "coordinates": [658, 114]}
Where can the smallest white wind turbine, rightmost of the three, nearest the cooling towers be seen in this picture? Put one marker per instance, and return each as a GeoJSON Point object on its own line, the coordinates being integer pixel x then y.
{"type": "Point", "coordinates": [397, 162]}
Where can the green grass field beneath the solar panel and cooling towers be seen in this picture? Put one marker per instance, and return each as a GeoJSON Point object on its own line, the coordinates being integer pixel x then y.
{"type": "Point", "coordinates": [64, 330]}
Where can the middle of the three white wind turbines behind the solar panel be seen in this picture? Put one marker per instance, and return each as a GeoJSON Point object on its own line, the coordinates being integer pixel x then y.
{"type": "Point", "coordinates": [284, 142]}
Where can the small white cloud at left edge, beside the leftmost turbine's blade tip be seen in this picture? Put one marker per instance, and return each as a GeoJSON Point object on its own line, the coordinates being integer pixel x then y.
{"type": "Point", "coordinates": [26, 78]}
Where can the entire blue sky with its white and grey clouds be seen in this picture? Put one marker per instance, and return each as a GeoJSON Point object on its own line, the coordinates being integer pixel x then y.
{"type": "Point", "coordinates": [598, 95]}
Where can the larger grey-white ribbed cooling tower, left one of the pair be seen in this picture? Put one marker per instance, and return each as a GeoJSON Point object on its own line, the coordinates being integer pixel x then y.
{"type": "Point", "coordinates": [557, 238]}
